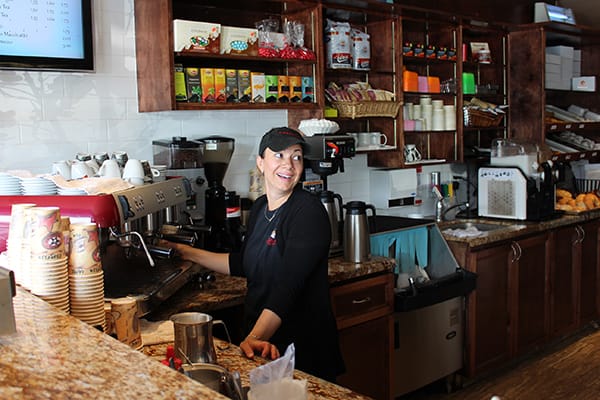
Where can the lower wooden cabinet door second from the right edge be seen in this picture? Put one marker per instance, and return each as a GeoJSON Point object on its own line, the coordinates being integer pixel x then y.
{"type": "Point", "coordinates": [564, 280]}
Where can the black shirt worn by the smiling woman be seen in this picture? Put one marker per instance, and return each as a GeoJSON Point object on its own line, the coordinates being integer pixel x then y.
{"type": "Point", "coordinates": [285, 261]}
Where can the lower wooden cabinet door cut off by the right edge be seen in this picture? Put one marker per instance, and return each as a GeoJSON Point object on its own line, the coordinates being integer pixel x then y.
{"type": "Point", "coordinates": [589, 278]}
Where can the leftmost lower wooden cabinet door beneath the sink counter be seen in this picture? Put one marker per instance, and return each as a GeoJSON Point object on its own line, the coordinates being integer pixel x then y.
{"type": "Point", "coordinates": [488, 343]}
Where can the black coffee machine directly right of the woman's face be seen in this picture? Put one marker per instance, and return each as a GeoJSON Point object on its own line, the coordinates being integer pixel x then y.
{"type": "Point", "coordinates": [324, 156]}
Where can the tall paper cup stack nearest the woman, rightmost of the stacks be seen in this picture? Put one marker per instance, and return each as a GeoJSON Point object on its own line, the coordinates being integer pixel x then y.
{"type": "Point", "coordinates": [86, 278]}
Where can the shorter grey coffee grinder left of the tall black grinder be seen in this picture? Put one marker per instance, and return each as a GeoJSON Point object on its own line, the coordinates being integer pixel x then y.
{"type": "Point", "coordinates": [183, 158]}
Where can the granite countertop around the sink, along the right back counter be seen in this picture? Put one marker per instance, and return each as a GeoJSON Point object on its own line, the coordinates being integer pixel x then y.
{"type": "Point", "coordinates": [513, 228]}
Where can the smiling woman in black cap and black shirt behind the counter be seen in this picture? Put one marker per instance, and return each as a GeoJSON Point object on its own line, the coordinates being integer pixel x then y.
{"type": "Point", "coordinates": [285, 260]}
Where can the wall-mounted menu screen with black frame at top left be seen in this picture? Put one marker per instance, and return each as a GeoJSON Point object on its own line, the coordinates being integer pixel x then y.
{"type": "Point", "coordinates": [46, 35]}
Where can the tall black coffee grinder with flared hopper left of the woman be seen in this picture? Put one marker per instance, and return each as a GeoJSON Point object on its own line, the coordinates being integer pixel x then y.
{"type": "Point", "coordinates": [217, 154]}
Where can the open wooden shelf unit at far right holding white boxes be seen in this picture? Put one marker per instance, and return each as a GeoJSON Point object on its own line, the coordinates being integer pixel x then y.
{"type": "Point", "coordinates": [528, 91]}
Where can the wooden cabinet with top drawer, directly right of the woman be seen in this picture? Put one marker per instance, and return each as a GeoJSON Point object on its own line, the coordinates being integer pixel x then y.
{"type": "Point", "coordinates": [363, 311]}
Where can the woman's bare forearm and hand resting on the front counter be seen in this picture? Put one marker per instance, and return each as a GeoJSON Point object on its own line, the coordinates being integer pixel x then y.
{"type": "Point", "coordinates": [258, 339]}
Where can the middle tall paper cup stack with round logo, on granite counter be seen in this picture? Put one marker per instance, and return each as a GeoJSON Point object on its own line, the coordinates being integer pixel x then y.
{"type": "Point", "coordinates": [46, 274]}
